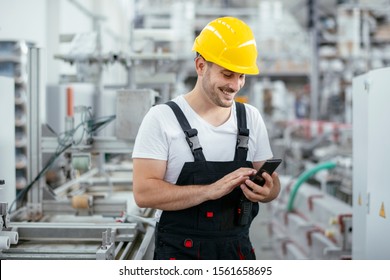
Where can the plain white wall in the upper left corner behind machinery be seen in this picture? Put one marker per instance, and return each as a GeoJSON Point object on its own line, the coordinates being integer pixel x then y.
{"type": "Point", "coordinates": [42, 21]}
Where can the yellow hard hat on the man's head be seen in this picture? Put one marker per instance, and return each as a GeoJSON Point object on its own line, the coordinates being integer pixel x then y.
{"type": "Point", "coordinates": [230, 43]}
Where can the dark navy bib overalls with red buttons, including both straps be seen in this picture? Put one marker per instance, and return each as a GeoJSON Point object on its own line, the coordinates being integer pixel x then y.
{"type": "Point", "coordinates": [209, 230]}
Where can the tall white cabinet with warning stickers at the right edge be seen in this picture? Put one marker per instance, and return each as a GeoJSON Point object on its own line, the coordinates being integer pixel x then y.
{"type": "Point", "coordinates": [371, 151]}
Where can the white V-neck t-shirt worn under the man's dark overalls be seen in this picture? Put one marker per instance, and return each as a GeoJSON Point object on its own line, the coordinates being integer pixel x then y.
{"type": "Point", "coordinates": [161, 137]}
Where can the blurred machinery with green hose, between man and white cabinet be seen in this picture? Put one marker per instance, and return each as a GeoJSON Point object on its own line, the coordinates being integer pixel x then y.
{"type": "Point", "coordinates": [312, 217]}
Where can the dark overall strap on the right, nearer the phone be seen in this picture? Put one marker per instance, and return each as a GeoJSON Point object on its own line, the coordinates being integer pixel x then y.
{"type": "Point", "coordinates": [243, 133]}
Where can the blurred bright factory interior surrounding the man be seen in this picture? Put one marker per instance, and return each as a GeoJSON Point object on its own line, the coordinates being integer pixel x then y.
{"type": "Point", "coordinates": [66, 171]}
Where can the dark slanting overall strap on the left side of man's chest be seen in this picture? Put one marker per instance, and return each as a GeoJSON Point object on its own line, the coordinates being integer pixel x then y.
{"type": "Point", "coordinates": [190, 133]}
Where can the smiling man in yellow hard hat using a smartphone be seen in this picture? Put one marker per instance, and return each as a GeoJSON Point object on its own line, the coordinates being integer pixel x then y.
{"type": "Point", "coordinates": [194, 156]}
